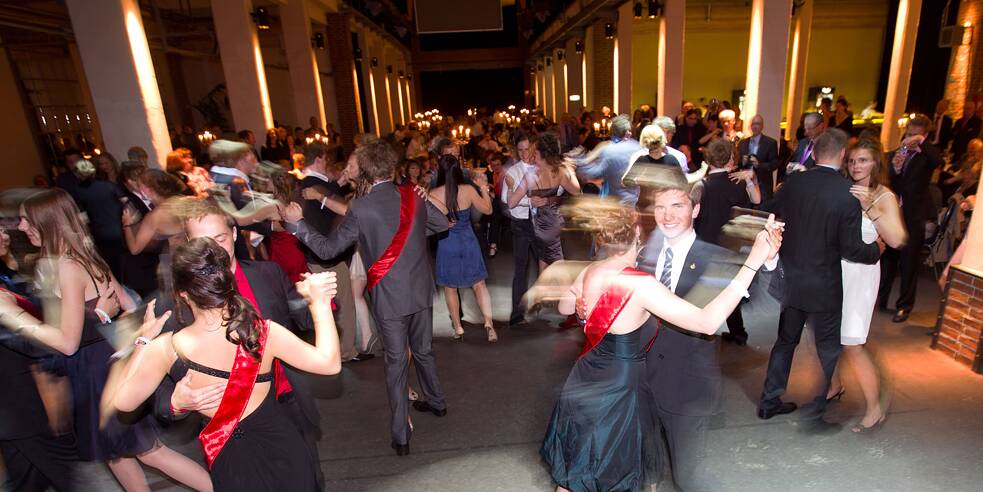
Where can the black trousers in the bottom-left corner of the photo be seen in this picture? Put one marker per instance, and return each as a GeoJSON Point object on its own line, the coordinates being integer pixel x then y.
{"type": "Point", "coordinates": [38, 462]}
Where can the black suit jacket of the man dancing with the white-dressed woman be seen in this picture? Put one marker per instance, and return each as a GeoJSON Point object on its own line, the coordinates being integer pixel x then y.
{"type": "Point", "coordinates": [822, 226]}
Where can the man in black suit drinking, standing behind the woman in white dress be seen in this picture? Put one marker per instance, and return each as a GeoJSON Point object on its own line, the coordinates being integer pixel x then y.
{"type": "Point", "coordinates": [910, 171]}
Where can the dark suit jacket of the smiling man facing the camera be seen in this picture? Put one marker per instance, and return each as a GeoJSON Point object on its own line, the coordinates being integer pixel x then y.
{"type": "Point", "coordinates": [683, 370]}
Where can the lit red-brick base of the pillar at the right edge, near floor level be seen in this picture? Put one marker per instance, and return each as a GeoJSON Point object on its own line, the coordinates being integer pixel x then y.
{"type": "Point", "coordinates": [961, 320]}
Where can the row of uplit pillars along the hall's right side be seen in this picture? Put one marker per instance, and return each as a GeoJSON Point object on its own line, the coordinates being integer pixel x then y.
{"type": "Point", "coordinates": [774, 31]}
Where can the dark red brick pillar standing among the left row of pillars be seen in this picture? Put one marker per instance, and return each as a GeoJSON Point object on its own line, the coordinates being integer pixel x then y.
{"type": "Point", "coordinates": [340, 52]}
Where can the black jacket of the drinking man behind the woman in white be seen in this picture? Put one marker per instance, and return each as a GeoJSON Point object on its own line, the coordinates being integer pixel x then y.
{"type": "Point", "coordinates": [911, 184]}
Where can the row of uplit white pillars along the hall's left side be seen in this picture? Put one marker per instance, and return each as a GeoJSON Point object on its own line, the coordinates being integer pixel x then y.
{"type": "Point", "coordinates": [121, 79]}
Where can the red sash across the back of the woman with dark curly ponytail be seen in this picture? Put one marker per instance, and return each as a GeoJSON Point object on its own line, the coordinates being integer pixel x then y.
{"type": "Point", "coordinates": [241, 380]}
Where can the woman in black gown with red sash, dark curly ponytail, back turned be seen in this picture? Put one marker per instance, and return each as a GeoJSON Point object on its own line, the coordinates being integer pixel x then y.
{"type": "Point", "coordinates": [262, 449]}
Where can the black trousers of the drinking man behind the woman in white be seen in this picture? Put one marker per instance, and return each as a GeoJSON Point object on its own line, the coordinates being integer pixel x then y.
{"type": "Point", "coordinates": [907, 261]}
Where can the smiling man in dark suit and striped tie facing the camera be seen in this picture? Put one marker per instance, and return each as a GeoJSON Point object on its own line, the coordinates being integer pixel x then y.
{"type": "Point", "coordinates": [683, 386]}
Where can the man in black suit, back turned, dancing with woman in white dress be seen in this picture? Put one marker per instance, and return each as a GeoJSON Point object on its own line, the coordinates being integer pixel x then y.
{"type": "Point", "coordinates": [822, 227]}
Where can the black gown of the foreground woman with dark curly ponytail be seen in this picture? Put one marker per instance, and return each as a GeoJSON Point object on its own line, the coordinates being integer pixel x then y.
{"type": "Point", "coordinates": [265, 451]}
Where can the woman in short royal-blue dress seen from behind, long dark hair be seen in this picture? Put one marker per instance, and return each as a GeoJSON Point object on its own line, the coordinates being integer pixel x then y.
{"type": "Point", "coordinates": [459, 260]}
